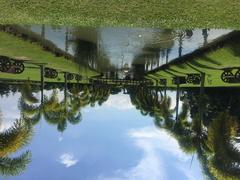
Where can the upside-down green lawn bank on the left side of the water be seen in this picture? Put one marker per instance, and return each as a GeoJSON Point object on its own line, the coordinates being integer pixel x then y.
{"type": "Point", "coordinates": [17, 48]}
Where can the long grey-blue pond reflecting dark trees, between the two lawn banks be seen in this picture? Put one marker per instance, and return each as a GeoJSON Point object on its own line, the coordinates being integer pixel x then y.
{"type": "Point", "coordinates": [121, 45]}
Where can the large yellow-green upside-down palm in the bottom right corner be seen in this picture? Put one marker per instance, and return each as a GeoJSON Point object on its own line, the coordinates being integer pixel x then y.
{"type": "Point", "coordinates": [224, 161]}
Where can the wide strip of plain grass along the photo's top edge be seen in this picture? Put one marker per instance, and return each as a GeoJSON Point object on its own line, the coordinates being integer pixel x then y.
{"type": "Point", "coordinates": [136, 13]}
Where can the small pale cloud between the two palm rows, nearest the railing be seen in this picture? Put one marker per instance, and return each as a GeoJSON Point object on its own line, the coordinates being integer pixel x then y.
{"type": "Point", "coordinates": [119, 101]}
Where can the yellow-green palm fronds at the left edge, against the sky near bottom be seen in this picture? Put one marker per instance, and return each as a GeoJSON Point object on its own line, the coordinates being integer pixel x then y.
{"type": "Point", "coordinates": [10, 141]}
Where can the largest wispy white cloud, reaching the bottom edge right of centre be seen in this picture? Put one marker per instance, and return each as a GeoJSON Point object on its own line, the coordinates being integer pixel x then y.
{"type": "Point", "coordinates": [151, 141]}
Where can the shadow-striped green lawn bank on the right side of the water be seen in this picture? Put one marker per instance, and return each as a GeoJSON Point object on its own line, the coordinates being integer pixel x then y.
{"type": "Point", "coordinates": [225, 52]}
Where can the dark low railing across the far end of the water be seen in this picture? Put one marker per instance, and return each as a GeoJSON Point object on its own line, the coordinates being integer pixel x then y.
{"type": "Point", "coordinates": [129, 82]}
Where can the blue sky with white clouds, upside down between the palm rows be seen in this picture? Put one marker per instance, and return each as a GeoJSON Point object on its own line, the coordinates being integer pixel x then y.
{"type": "Point", "coordinates": [112, 142]}
